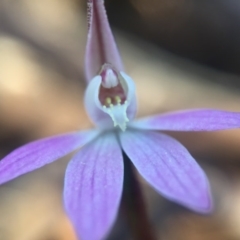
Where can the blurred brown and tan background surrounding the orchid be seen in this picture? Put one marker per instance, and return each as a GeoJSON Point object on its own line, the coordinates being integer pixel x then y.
{"type": "Point", "coordinates": [181, 54]}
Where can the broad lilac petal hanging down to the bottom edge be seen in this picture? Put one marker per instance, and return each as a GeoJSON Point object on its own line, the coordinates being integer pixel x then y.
{"type": "Point", "coordinates": [93, 187]}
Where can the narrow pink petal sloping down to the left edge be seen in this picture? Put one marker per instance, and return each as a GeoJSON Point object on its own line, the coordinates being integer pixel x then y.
{"type": "Point", "coordinates": [39, 153]}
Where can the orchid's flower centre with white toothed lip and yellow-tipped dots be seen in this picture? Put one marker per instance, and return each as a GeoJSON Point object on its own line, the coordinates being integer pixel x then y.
{"type": "Point", "coordinates": [113, 97]}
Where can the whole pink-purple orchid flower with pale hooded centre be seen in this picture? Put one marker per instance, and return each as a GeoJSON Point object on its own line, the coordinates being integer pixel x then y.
{"type": "Point", "coordinates": [94, 176]}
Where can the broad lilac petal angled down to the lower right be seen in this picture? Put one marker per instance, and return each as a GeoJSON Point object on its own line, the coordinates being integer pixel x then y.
{"type": "Point", "coordinates": [169, 168]}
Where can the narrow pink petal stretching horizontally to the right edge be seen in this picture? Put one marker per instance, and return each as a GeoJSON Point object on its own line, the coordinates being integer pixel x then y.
{"type": "Point", "coordinates": [191, 120]}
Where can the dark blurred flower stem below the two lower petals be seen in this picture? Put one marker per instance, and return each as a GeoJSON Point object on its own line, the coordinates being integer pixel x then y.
{"type": "Point", "coordinates": [133, 205]}
